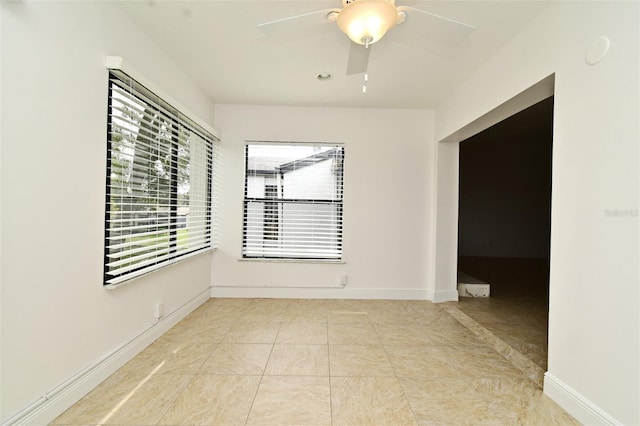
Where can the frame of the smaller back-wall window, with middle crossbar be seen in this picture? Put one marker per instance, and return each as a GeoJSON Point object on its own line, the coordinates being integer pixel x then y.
{"type": "Point", "coordinates": [282, 201]}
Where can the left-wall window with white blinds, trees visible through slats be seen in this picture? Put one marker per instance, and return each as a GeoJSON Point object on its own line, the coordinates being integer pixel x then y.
{"type": "Point", "coordinates": [159, 180]}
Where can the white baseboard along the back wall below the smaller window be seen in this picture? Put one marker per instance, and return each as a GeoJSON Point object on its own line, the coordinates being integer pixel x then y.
{"type": "Point", "coordinates": [318, 293]}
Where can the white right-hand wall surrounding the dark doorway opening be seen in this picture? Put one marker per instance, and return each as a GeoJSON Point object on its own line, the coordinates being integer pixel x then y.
{"type": "Point", "coordinates": [594, 335]}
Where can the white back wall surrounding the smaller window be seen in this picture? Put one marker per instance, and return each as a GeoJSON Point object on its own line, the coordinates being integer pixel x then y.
{"type": "Point", "coordinates": [389, 157]}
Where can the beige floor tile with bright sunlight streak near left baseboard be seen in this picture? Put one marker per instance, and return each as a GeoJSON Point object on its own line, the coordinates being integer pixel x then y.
{"type": "Point", "coordinates": [127, 400]}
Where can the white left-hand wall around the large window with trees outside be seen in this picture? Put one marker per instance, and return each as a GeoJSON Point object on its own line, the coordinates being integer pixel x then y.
{"type": "Point", "coordinates": [56, 318]}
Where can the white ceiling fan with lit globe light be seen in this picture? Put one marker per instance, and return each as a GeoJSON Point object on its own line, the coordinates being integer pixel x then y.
{"type": "Point", "coordinates": [365, 22]}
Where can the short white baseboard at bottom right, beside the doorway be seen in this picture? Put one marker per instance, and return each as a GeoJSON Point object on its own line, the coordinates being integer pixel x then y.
{"type": "Point", "coordinates": [585, 411]}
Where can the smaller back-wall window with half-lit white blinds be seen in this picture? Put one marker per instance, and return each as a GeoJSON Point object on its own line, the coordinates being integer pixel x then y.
{"type": "Point", "coordinates": [293, 201]}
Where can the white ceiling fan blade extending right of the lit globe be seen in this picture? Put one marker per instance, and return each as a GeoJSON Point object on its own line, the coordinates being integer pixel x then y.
{"type": "Point", "coordinates": [434, 27]}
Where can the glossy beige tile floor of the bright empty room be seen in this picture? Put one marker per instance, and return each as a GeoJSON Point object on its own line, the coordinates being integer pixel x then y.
{"type": "Point", "coordinates": [321, 362]}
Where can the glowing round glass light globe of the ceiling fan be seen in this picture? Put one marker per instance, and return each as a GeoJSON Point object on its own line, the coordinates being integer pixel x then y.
{"type": "Point", "coordinates": [367, 21]}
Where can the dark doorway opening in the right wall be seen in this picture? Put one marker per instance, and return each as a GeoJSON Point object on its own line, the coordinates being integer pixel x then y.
{"type": "Point", "coordinates": [504, 227]}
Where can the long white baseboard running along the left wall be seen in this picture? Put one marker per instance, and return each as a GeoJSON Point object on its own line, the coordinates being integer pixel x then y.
{"type": "Point", "coordinates": [56, 401]}
